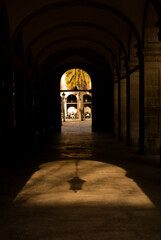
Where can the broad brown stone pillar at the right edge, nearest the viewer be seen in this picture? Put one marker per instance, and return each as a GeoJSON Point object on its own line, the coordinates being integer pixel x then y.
{"type": "Point", "coordinates": [152, 100]}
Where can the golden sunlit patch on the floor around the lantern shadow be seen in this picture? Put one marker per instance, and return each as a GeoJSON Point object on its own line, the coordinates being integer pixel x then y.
{"type": "Point", "coordinates": [103, 184]}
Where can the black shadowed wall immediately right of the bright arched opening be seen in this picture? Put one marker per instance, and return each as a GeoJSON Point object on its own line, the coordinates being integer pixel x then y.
{"type": "Point", "coordinates": [102, 102]}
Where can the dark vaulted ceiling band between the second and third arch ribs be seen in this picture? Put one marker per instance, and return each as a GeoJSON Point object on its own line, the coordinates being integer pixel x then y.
{"type": "Point", "coordinates": [75, 32]}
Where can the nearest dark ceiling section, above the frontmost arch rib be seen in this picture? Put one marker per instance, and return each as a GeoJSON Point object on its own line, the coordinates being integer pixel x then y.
{"type": "Point", "coordinates": [132, 10]}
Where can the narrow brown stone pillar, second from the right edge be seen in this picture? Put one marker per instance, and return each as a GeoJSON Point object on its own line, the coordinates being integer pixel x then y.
{"type": "Point", "coordinates": [134, 61]}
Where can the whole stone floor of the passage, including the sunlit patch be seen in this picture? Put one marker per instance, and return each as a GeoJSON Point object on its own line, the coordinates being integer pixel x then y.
{"type": "Point", "coordinates": [83, 186]}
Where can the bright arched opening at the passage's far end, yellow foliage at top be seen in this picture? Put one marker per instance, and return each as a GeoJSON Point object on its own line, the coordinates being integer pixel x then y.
{"type": "Point", "coordinates": [76, 100]}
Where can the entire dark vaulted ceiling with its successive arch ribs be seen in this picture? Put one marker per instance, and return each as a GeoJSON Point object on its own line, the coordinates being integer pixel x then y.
{"type": "Point", "coordinates": [51, 26]}
